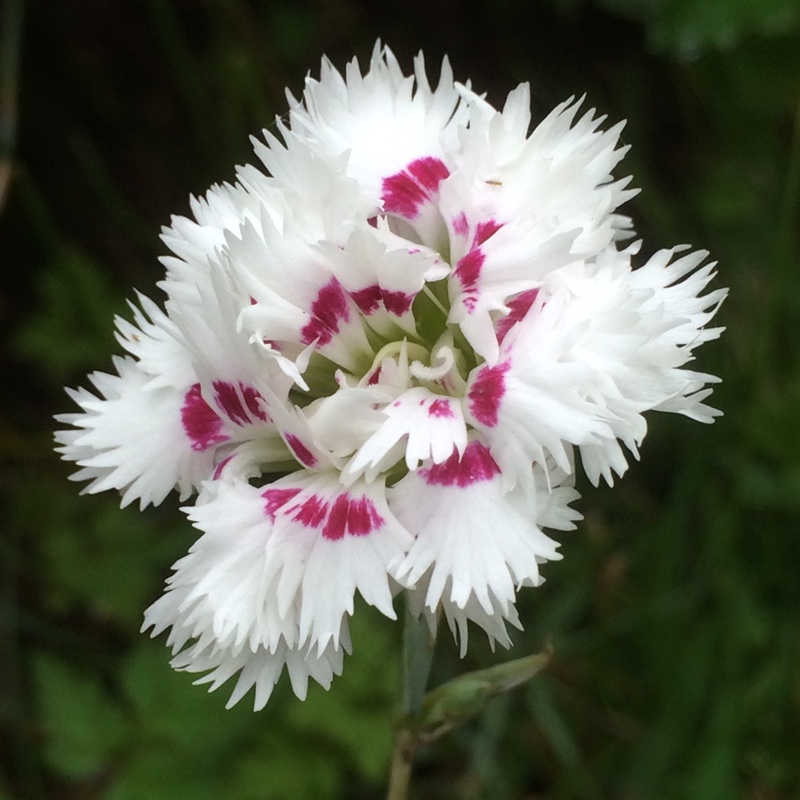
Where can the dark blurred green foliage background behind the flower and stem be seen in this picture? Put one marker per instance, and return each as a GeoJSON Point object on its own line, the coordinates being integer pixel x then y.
{"type": "Point", "coordinates": [675, 614]}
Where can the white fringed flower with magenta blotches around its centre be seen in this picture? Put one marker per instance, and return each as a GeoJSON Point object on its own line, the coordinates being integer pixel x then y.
{"type": "Point", "coordinates": [378, 365]}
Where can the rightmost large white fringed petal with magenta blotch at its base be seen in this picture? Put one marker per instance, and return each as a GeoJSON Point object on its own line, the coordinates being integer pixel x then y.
{"type": "Point", "coordinates": [598, 347]}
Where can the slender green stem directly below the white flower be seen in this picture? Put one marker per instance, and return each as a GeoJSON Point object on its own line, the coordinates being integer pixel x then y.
{"type": "Point", "coordinates": [418, 646]}
